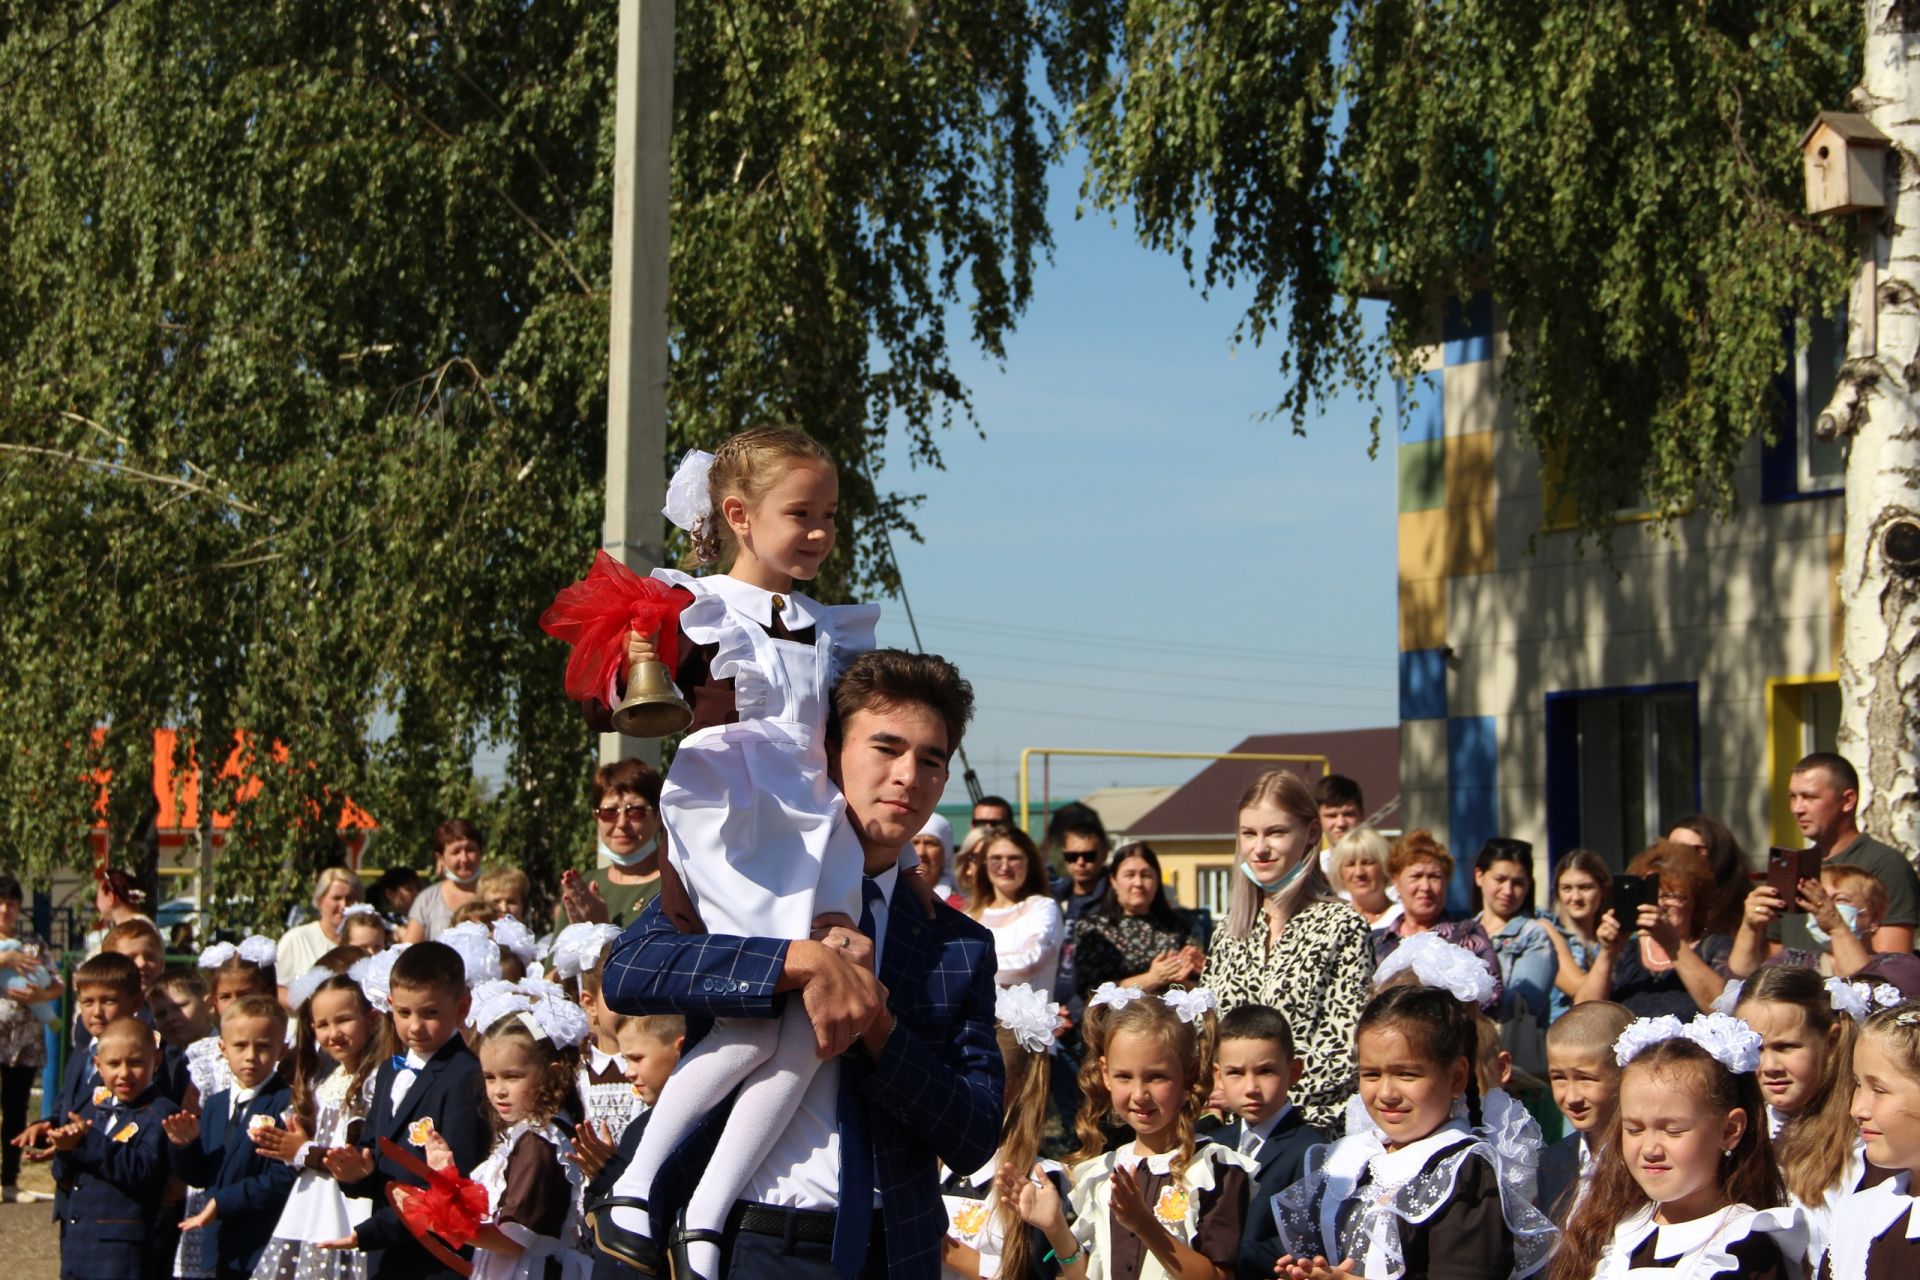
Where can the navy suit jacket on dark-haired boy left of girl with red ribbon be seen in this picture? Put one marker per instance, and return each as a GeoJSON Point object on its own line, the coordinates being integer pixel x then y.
{"type": "Point", "coordinates": [450, 1095]}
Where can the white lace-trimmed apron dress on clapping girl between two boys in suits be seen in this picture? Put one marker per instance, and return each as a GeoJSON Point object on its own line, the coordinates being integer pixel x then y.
{"type": "Point", "coordinates": [318, 1210]}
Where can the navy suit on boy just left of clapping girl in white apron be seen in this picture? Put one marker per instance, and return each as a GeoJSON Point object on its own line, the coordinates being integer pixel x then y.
{"type": "Point", "coordinates": [249, 1189]}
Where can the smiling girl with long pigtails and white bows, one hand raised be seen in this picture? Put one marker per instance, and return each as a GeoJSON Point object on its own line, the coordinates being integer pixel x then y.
{"type": "Point", "coordinates": [1164, 1204]}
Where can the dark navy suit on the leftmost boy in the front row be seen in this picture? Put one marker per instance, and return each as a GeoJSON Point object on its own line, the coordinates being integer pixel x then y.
{"type": "Point", "coordinates": [120, 1179]}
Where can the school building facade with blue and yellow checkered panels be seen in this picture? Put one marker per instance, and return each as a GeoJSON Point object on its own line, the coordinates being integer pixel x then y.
{"type": "Point", "coordinates": [1558, 698]}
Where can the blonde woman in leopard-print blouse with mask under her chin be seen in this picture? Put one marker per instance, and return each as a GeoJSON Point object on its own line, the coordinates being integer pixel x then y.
{"type": "Point", "coordinates": [1291, 945]}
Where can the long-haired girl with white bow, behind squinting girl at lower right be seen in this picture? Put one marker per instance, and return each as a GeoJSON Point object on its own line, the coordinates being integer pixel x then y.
{"type": "Point", "coordinates": [1808, 1030]}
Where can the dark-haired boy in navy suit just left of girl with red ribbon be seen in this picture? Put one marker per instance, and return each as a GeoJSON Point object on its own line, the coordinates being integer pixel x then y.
{"type": "Point", "coordinates": [435, 1087]}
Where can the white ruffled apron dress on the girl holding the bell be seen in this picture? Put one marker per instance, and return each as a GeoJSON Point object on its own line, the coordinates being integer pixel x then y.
{"type": "Point", "coordinates": [756, 826]}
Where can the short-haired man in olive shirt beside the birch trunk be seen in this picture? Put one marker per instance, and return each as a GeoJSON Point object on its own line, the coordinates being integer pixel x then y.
{"type": "Point", "coordinates": [1825, 794]}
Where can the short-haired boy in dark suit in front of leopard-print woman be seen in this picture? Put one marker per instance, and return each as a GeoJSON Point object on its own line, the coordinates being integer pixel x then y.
{"type": "Point", "coordinates": [1255, 1068]}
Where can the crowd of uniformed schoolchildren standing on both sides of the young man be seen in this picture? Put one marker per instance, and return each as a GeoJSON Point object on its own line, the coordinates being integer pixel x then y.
{"type": "Point", "coordinates": [456, 1106]}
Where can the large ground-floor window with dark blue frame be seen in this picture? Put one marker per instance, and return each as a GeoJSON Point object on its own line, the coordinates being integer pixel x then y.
{"type": "Point", "coordinates": [1623, 767]}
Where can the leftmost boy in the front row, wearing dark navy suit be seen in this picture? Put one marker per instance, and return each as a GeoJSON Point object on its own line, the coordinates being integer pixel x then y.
{"type": "Point", "coordinates": [116, 1160]}
